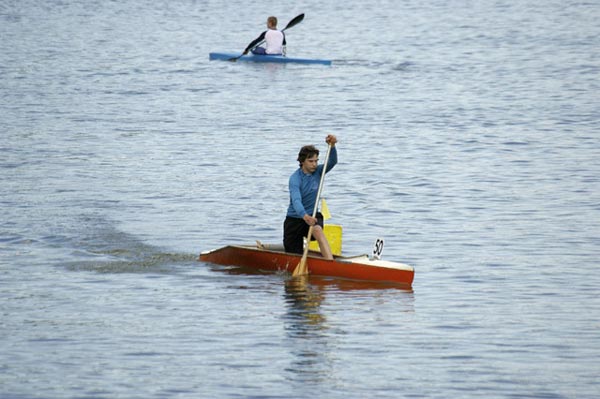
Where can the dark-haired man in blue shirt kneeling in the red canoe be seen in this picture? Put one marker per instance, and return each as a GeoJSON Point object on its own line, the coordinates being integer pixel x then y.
{"type": "Point", "coordinates": [303, 187]}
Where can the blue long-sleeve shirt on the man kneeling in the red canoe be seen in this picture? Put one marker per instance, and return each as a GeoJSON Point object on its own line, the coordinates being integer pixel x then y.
{"type": "Point", "coordinates": [304, 187]}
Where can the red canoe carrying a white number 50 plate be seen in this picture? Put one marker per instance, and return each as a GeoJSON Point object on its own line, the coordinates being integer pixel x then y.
{"type": "Point", "coordinates": [354, 268]}
